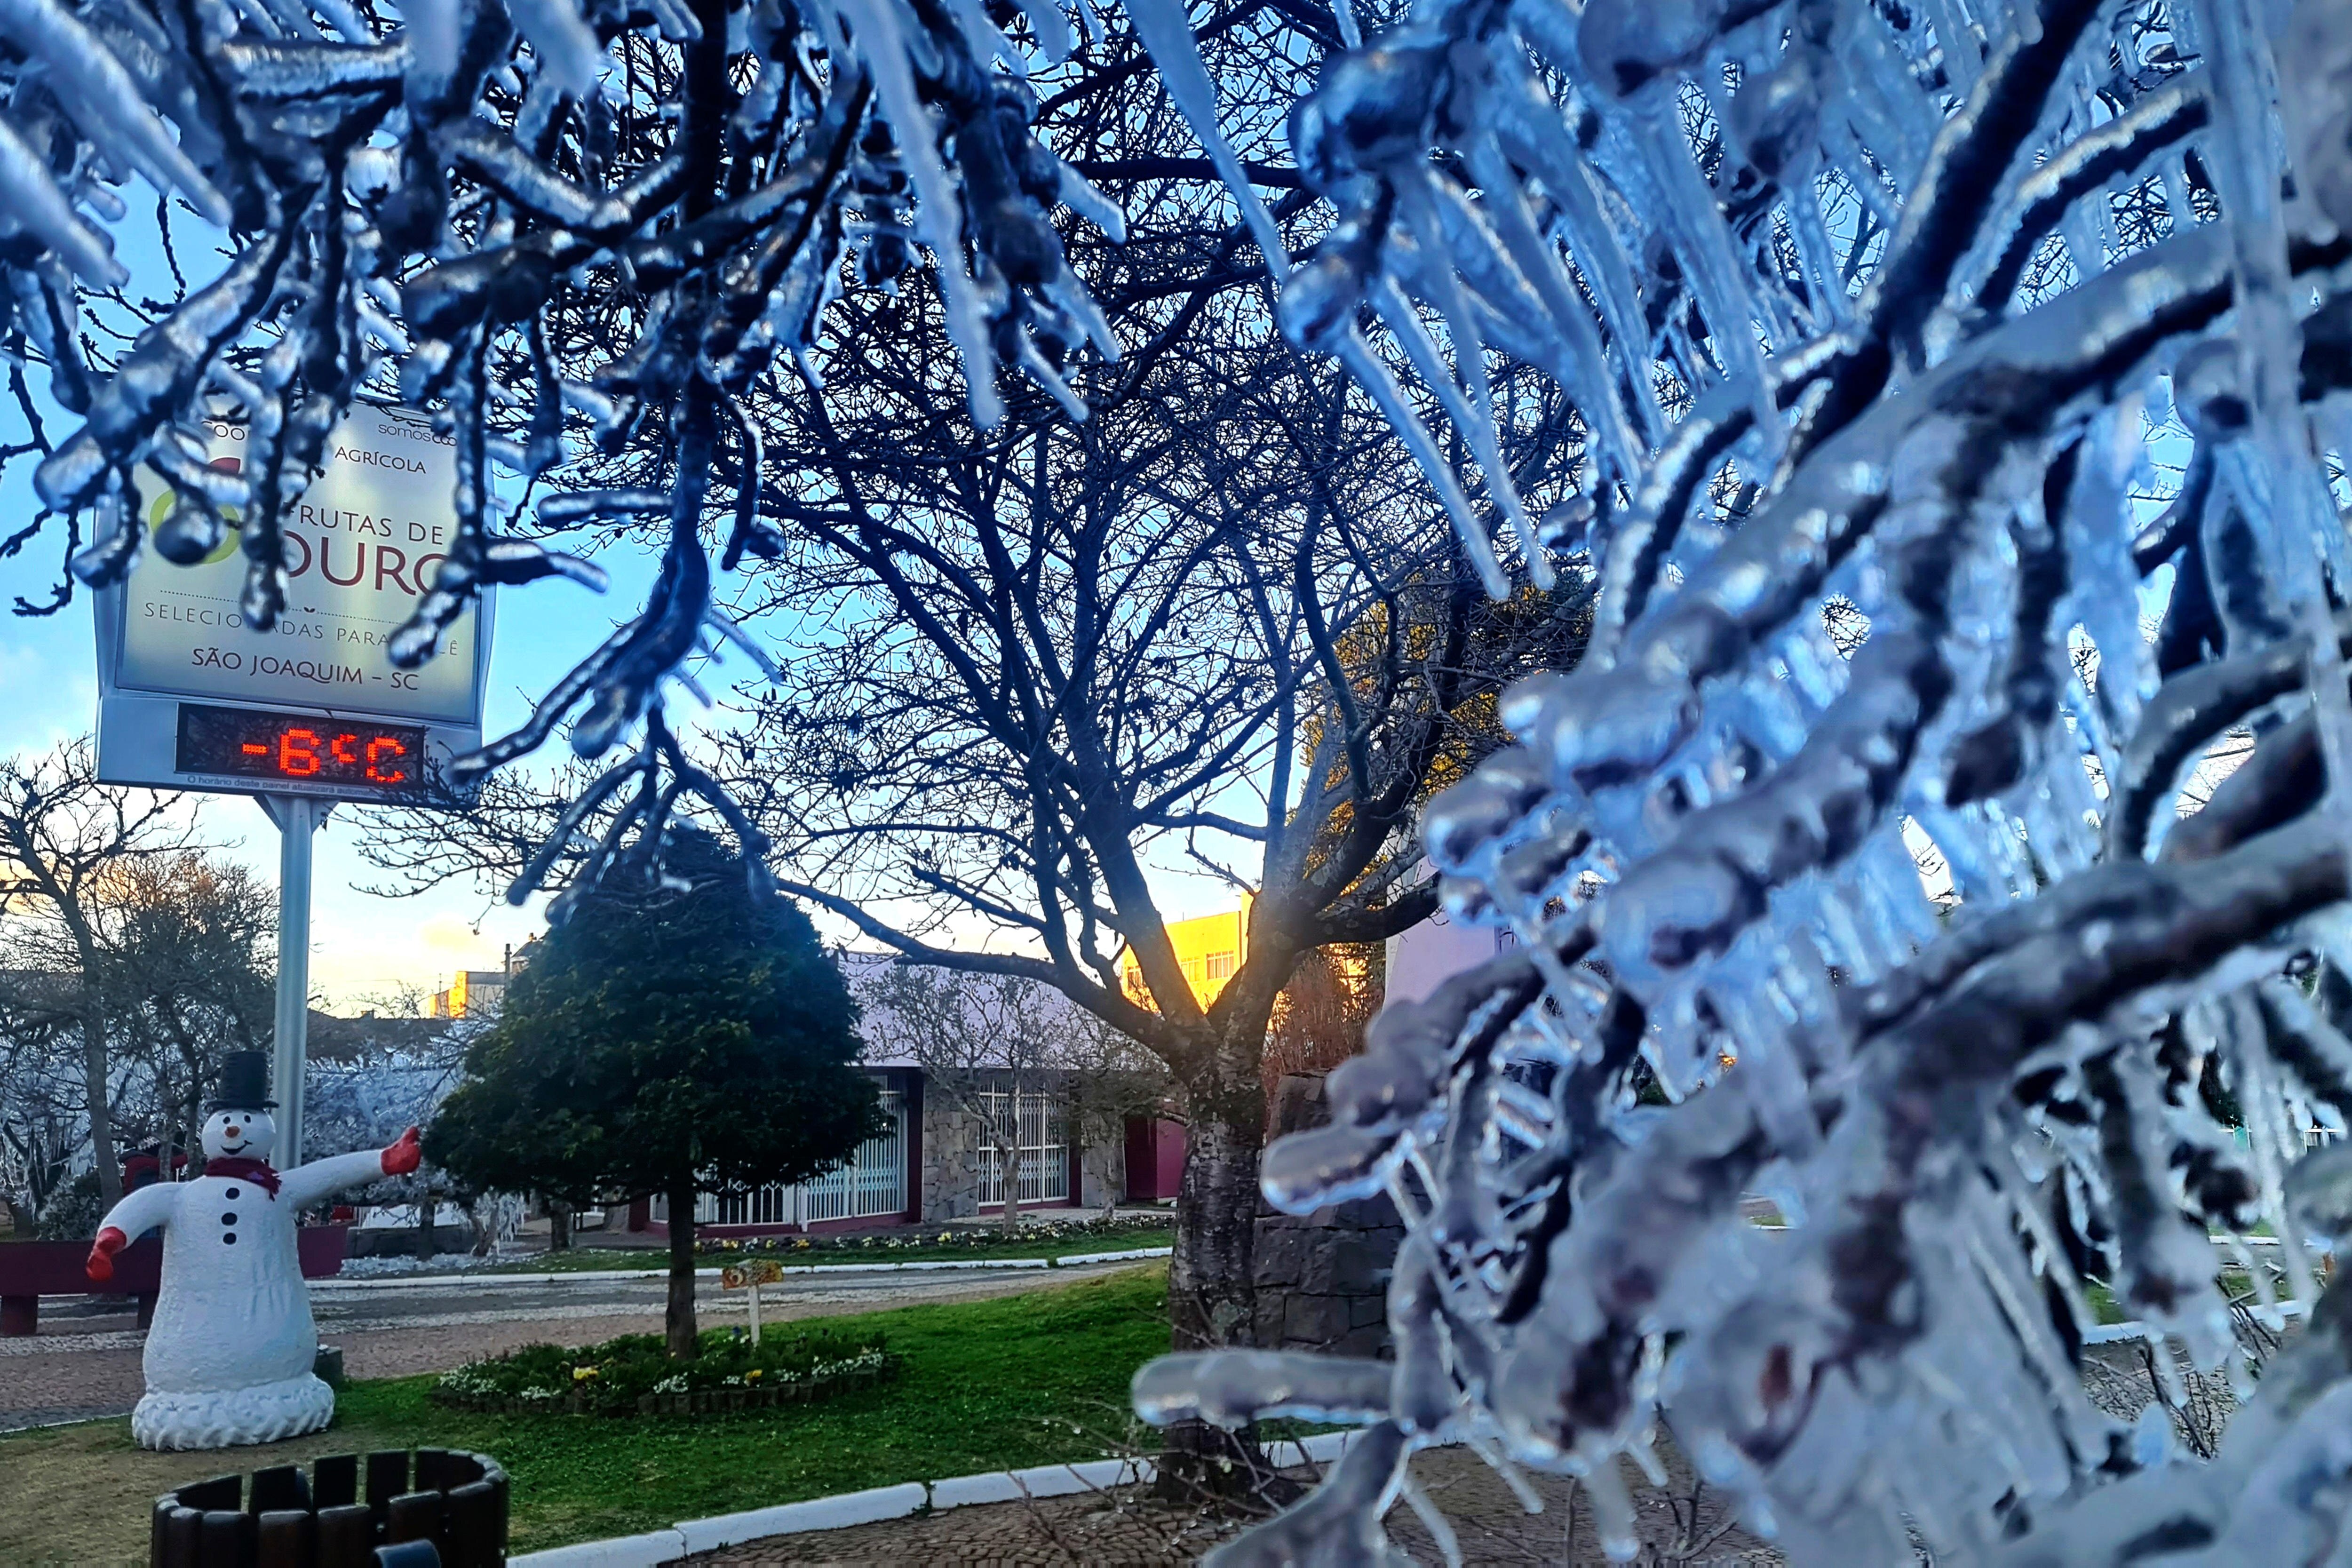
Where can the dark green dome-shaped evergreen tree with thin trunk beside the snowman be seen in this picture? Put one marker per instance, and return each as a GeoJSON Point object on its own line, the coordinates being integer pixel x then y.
{"type": "Point", "coordinates": [679, 1033]}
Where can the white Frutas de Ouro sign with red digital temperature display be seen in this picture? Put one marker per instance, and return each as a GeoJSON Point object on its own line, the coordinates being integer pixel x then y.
{"type": "Point", "coordinates": [192, 697]}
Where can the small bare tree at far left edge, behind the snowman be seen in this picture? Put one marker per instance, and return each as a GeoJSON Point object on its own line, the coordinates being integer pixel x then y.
{"type": "Point", "coordinates": [67, 845]}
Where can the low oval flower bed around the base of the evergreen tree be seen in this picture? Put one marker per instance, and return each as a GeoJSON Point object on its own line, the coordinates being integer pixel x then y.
{"type": "Point", "coordinates": [636, 1374]}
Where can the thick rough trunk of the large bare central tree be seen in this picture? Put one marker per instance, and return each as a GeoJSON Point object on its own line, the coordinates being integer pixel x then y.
{"type": "Point", "coordinates": [1212, 1278]}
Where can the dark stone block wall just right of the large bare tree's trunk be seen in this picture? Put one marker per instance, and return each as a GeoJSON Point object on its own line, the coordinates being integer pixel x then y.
{"type": "Point", "coordinates": [1323, 1278]}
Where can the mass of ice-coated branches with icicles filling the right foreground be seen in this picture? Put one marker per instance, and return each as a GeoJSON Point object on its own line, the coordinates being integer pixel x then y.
{"type": "Point", "coordinates": [1972, 1115]}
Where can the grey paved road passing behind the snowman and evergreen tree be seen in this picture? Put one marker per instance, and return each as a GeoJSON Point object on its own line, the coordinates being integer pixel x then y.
{"type": "Point", "coordinates": [86, 1360]}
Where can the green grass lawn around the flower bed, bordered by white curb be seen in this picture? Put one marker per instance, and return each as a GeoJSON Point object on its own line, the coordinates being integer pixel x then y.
{"type": "Point", "coordinates": [987, 1386]}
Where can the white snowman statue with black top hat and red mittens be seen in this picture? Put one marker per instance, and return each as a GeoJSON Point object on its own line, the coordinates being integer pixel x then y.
{"type": "Point", "coordinates": [232, 1346]}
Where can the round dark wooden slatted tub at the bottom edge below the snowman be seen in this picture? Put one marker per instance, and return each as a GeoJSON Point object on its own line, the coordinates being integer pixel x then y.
{"type": "Point", "coordinates": [448, 1501]}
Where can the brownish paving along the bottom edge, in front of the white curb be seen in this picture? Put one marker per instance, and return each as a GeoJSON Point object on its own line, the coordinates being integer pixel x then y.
{"type": "Point", "coordinates": [1130, 1529]}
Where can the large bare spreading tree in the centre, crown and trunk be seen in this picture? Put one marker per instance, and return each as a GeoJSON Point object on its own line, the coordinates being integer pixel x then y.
{"type": "Point", "coordinates": [1229, 638]}
